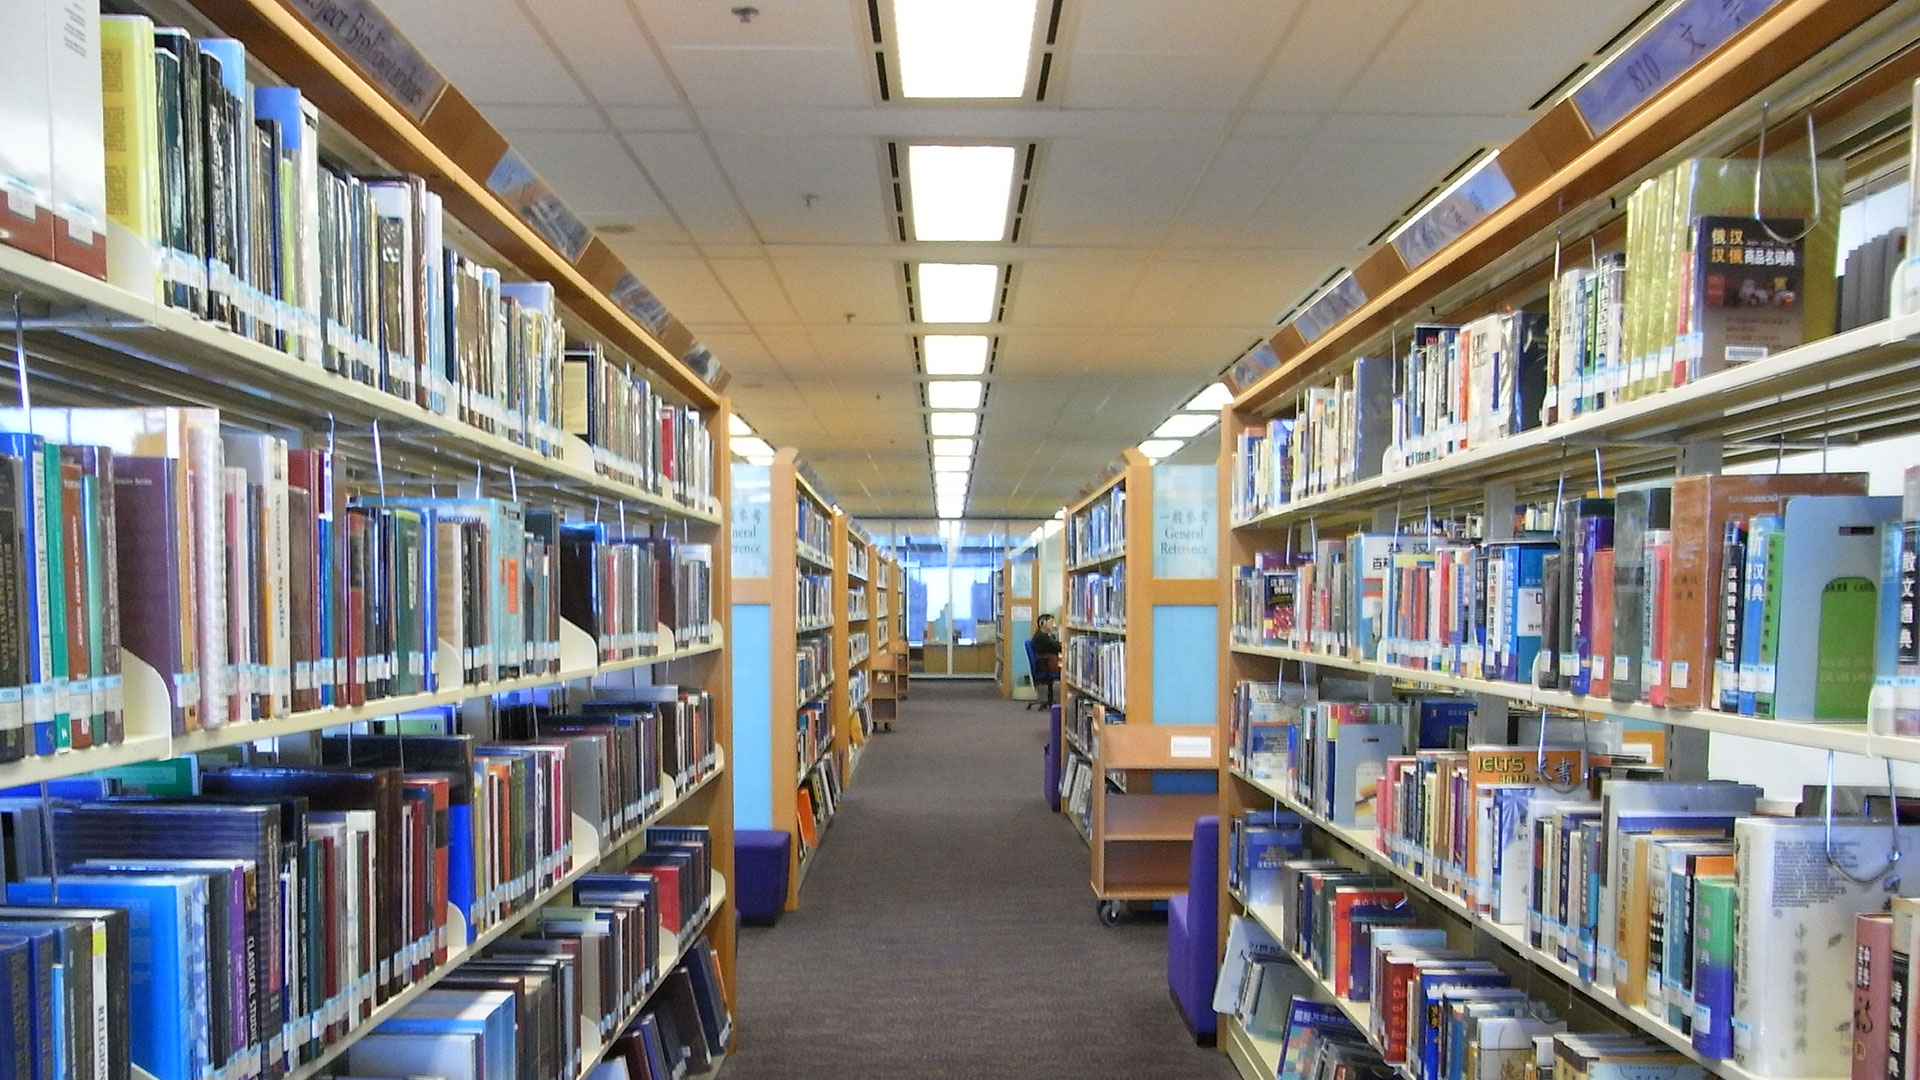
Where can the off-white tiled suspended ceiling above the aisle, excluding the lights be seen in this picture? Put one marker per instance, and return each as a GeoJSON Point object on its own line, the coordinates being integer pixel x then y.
{"type": "Point", "coordinates": [1201, 168]}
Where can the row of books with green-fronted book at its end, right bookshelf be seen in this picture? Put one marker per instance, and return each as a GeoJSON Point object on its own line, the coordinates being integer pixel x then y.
{"type": "Point", "coordinates": [1773, 597]}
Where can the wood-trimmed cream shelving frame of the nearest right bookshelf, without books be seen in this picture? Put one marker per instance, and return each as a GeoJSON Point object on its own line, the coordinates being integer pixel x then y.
{"type": "Point", "coordinates": [1848, 68]}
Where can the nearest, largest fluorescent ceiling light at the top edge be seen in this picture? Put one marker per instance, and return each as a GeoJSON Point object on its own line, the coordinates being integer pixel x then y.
{"type": "Point", "coordinates": [965, 51]}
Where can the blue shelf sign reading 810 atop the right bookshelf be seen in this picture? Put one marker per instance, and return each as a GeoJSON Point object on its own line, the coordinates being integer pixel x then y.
{"type": "Point", "coordinates": [1664, 55]}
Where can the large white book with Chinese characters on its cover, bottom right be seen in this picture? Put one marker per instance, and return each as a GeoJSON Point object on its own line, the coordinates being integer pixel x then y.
{"type": "Point", "coordinates": [1794, 921]}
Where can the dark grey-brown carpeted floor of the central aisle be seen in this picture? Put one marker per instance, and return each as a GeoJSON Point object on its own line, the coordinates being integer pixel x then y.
{"type": "Point", "coordinates": [948, 927]}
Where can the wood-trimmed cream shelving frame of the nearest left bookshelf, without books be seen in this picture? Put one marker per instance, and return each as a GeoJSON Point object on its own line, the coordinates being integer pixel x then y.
{"type": "Point", "coordinates": [89, 343]}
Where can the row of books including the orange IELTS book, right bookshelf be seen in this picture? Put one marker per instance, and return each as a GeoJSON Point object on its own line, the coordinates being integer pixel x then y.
{"type": "Point", "coordinates": [1666, 895]}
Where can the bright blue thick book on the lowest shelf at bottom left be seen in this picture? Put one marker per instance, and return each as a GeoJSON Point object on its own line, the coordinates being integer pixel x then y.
{"type": "Point", "coordinates": [158, 925]}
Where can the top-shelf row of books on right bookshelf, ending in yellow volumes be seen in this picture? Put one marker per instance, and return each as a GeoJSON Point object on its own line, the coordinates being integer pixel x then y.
{"type": "Point", "coordinates": [1702, 287]}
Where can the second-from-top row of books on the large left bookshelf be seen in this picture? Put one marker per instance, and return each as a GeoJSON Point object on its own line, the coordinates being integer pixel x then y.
{"type": "Point", "coordinates": [158, 564]}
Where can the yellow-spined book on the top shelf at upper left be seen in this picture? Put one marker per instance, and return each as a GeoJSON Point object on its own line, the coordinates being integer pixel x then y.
{"type": "Point", "coordinates": [130, 87]}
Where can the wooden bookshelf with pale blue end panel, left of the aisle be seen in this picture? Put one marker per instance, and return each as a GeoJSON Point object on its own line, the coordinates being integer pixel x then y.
{"type": "Point", "coordinates": [790, 672]}
